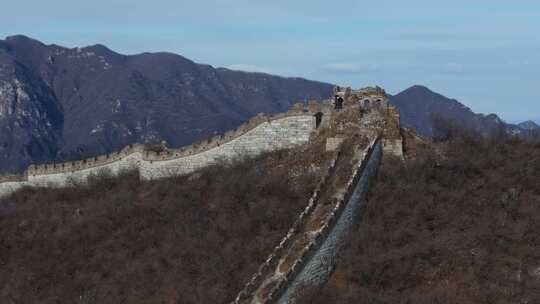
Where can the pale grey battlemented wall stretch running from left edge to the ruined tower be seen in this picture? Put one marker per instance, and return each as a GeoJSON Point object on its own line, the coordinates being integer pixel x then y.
{"type": "Point", "coordinates": [259, 135]}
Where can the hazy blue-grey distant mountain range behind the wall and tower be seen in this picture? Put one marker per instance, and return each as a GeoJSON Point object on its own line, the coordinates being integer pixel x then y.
{"type": "Point", "coordinates": [59, 103]}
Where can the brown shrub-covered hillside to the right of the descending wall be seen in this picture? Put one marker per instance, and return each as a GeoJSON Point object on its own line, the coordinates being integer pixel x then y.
{"type": "Point", "coordinates": [458, 224]}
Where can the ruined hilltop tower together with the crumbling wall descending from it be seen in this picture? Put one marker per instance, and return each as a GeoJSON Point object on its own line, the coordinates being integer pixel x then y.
{"type": "Point", "coordinates": [308, 254]}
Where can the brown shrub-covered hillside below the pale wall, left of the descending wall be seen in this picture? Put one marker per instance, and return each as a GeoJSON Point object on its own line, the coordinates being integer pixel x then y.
{"type": "Point", "coordinates": [188, 239]}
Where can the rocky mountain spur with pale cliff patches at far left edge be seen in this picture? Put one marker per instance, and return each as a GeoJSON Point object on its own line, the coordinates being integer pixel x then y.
{"type": "Point", "coordinates": [31, 119]}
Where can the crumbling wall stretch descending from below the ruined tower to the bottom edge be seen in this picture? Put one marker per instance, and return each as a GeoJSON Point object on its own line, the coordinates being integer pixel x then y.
{"type": "Point", "coordinates": [315, 259]}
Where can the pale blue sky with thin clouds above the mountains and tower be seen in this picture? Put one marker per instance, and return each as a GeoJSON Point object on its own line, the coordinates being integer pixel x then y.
{"type": "Point", "coordinates": [484, 53]}
